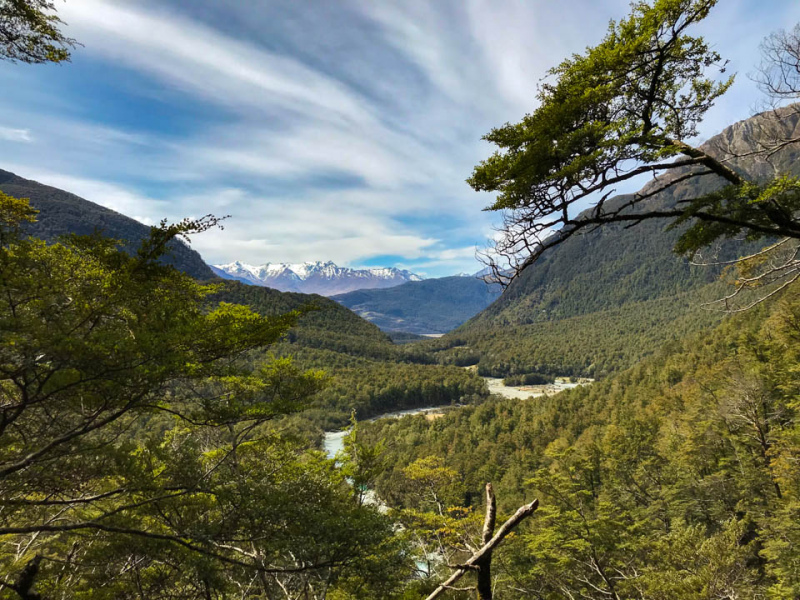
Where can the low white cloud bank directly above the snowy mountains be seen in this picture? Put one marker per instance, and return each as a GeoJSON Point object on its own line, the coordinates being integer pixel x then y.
{"type": "Point", "coordinates": [259, 229]}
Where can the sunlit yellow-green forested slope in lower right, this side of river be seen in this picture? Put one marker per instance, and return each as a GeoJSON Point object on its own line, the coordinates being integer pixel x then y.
{"type": "Point", "coordinates": [677, 478]}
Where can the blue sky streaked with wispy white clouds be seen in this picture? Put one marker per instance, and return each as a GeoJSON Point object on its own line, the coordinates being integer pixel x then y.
{"type": "Point", "coordinates": [338, 130]}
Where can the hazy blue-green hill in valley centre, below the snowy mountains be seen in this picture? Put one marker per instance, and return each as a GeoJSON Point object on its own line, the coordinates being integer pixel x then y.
{"type": "Point", "coordinates": [428, 306]}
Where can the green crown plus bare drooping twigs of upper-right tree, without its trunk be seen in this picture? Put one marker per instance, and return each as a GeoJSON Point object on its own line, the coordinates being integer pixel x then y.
{"type": "Point", "coordinates": [614, 113]}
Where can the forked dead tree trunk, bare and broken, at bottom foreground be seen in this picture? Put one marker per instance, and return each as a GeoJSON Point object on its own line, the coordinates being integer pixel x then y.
{"type": "Point", "coordinates": [481, 561]}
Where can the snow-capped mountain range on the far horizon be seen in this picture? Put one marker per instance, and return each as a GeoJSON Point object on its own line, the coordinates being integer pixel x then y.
{"type": "Point", "coordinates": [325, 278]}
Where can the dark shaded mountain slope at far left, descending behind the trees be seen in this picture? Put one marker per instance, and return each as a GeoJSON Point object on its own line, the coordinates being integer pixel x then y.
{"type": "Point", "coordinates": [62, 213]}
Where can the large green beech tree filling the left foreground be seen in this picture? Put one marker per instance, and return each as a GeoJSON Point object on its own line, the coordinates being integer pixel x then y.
{"type": "Point", "coordinates": [136, 453]}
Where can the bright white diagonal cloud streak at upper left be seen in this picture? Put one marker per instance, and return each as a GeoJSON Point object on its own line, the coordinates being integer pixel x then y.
{"type": "Point", "coordinates": [188, 55]}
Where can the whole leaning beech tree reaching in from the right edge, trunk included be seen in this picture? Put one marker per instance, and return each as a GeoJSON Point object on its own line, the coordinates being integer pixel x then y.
{"type": "Point", "coordinates": [627, 108]}
